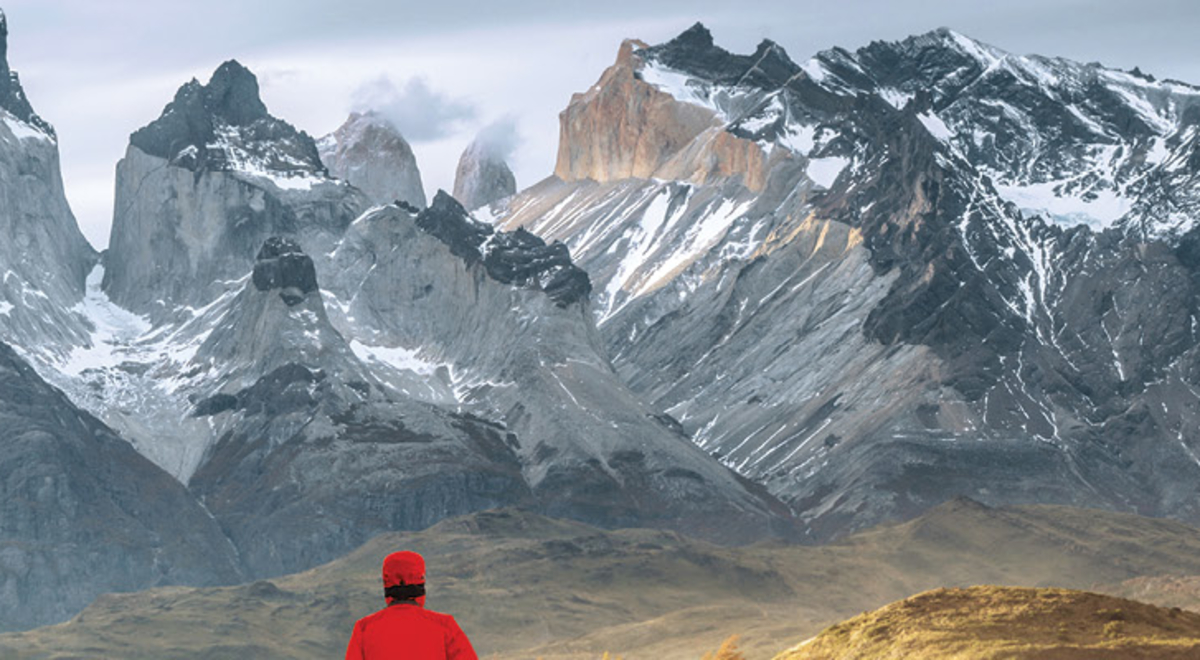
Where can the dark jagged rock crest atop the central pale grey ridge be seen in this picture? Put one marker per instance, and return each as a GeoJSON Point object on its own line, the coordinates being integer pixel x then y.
{"type": "Point", "coordinates": [518, 259]}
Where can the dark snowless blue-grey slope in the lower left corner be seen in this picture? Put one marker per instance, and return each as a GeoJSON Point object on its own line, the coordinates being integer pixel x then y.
{"type": "Point", "coordinates": [85, 514]}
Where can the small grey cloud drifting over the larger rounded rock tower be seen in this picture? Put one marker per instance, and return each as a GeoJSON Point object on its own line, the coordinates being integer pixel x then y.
{"type": "Point", "coordinates": [418, 111]}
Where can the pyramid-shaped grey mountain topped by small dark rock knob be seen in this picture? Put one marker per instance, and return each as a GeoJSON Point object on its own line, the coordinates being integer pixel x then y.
{"type": "Point", "coordinates": [311, 453]}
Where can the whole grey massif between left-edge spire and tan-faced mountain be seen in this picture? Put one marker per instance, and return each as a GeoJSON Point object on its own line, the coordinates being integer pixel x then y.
{"type": "Point", "coordinates": [317, 371]}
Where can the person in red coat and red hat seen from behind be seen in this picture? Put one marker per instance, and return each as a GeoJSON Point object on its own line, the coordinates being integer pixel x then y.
{"type": "Point", "coordinates": [405, 628]}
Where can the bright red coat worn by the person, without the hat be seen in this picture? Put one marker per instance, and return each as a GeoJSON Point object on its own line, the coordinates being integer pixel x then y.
{"type": "Point", "coordinates": [406, 631]}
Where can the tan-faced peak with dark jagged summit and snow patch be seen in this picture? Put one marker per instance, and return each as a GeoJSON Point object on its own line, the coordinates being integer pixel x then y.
{"type": "Point", "coordinates": [664, 112]}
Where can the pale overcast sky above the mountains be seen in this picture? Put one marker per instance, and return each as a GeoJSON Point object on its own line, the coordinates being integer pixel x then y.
{"type": "Point", "coordinates": [449, 69]}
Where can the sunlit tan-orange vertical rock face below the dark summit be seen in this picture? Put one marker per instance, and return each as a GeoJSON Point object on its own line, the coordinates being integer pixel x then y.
{"type": "Point", "coordinates": [625, 128]}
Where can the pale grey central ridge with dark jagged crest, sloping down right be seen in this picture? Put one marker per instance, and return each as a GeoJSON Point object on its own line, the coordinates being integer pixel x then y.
{"type": "Point", "coordinates": [451, 286]}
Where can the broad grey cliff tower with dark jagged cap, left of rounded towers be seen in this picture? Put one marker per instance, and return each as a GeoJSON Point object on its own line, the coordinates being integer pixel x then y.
{"type": "Point", "coordinates": [205, 185]}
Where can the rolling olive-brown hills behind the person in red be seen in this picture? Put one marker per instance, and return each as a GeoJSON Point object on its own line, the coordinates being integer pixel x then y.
{"type": "Point", "coordinates": [524, 586]}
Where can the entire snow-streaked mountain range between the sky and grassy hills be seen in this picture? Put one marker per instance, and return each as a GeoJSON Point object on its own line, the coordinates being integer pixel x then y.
{"type": "Point", "coordinates": [755, 301]}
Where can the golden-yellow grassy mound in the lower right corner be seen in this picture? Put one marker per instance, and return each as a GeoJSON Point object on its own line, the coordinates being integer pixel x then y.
{"type": "Point", "coordinates": [993, 623]}
